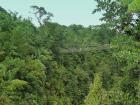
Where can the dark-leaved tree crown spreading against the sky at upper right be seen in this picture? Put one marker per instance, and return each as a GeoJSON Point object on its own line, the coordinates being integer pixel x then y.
{"type": "Point", "coordinates": [114, 13]}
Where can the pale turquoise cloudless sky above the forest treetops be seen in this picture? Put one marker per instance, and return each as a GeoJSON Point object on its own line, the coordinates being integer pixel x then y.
{"type": "Point", "coordinates": [66, 12]}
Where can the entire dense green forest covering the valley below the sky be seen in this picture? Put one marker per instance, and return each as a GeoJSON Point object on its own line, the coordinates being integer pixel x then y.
{"type": "Point", "coordinates": [53, 64]}
